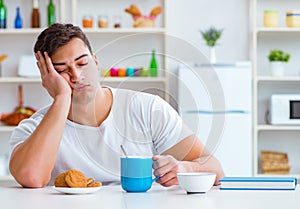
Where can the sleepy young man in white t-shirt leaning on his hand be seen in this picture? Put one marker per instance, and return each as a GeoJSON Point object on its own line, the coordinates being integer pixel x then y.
{"type": "Point", "coordinates": [86, 124]}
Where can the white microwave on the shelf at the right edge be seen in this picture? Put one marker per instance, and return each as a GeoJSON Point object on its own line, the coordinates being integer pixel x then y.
{"type": "Point", "coordinates": [285, 109]}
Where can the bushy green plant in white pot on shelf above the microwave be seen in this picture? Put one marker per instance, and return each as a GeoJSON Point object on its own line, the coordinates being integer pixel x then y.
{"type": "Point", "coordinates": [278, 59]}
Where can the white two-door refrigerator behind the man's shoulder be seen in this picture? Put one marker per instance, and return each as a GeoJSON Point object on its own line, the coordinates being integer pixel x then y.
{"type": "Point", "coordinates": [215, 101]}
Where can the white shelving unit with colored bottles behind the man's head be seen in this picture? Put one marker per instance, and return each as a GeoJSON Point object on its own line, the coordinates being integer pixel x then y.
{"type": "Point", "coordinates": [114, 47]}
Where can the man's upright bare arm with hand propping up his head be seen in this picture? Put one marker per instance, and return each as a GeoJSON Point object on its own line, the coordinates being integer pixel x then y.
{"type": "Point", "coordinates": [32, 161]}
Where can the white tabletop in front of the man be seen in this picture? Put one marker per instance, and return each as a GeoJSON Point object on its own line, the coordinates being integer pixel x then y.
{"type": "Point", "coordinates": [113, 197]}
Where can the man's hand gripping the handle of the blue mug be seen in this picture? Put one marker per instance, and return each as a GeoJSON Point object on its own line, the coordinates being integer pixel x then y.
{"type": "Point", "coordinates": [166, 167]}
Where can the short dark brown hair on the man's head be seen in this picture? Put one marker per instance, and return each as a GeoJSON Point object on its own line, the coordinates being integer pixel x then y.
{"type": "Point", "coordinates": [58, 35]}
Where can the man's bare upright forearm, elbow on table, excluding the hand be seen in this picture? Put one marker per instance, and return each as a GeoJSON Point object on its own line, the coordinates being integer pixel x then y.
{"type": "Point", "coordinates": [33, 160]}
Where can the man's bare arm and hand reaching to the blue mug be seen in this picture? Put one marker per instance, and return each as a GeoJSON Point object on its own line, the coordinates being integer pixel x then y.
{"type": "Point", "coordinates": [189, 155]}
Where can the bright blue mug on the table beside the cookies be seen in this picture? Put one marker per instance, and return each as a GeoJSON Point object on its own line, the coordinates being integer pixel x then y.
{"type": "Point", "coordinates": [136, 173]}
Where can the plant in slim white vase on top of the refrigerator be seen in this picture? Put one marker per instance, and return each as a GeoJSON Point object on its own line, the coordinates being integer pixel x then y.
{"type": "Point", "coordinates": [211, 36]}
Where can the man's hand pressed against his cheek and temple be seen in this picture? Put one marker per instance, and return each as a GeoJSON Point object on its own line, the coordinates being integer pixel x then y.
{"type": "Point", "coordinates": [52, 81]}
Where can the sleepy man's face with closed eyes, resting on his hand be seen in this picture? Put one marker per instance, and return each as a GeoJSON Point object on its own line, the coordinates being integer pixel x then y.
{"type": "Point", "coordinates": [79, 68]}
